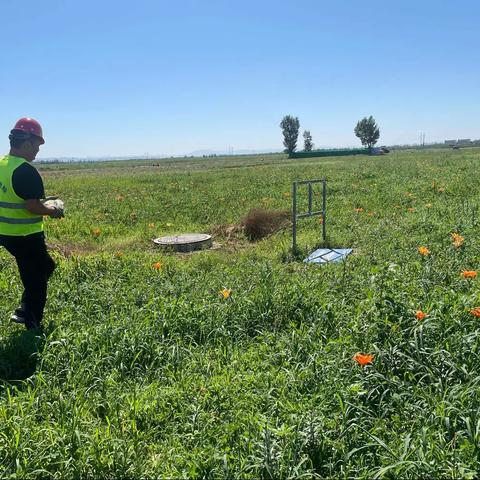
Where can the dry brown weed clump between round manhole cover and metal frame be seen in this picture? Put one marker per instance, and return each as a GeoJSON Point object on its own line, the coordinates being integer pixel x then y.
{"type": "Point", "coordinates": [260, 223]}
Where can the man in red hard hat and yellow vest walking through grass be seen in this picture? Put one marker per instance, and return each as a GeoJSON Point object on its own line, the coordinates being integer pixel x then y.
{"type": "Point", "coordinates": [21, 219]}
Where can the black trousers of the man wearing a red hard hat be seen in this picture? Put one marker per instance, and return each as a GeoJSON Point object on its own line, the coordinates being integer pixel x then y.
{"type": "Point", "coordinates": [35, 266]}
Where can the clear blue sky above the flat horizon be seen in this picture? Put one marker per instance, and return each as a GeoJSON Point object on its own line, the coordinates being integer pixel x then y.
{"type": "Point", "coordinates": [131, 77]}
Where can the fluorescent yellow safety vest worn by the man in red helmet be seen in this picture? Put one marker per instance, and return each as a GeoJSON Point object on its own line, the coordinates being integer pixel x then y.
{"type": "Point", "coordinates": [15, 219]}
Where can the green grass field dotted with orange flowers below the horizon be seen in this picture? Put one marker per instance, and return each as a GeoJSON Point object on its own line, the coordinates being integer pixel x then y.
{"type": "Point", "coordinates": [144, 369]}
